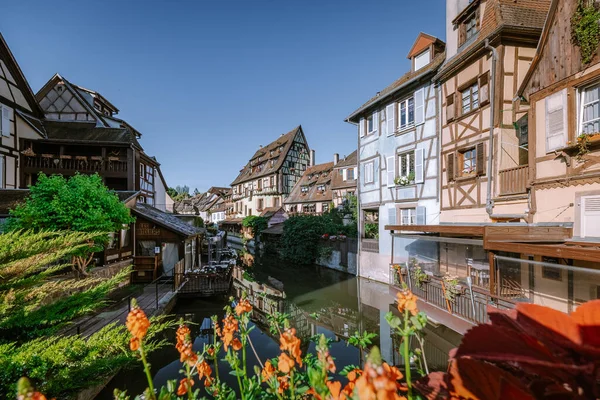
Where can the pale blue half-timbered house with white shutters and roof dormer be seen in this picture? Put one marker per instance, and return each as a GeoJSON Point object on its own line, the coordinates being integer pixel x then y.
{"type": "Point", "coordinates": [398, 156]}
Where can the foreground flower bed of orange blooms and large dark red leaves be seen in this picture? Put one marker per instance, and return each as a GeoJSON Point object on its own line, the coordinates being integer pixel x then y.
{"type": "Point", "coordinates": [537, 353]}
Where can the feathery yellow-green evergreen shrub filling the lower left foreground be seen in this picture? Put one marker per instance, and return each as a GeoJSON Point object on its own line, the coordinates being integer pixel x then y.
{"type": "Point", "coordinates": [37, 304]}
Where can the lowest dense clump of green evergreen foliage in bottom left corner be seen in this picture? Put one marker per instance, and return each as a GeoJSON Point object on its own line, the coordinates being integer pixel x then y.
{"type": "Point", "coordinates": [60, 366]}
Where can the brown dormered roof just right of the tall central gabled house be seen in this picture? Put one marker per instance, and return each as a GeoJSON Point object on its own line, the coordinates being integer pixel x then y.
{"type": "Point", "coordinates": [313, 177]}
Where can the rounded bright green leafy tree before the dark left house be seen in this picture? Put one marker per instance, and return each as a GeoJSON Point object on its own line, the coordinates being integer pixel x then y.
{"type": "Point", "coordinates": [81, 204]}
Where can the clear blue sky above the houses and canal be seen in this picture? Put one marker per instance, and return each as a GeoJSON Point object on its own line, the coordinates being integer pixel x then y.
{"type": "Point", "coordinates": [207, 82]}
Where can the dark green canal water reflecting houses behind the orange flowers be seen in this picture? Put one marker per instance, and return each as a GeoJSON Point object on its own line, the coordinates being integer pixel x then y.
{"type": "Point", "coordinates": [318, 300]}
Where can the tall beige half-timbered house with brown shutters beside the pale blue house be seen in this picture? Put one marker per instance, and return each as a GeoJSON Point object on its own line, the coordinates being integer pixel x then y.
{"type": "Point", "coordinates": [484, 161]}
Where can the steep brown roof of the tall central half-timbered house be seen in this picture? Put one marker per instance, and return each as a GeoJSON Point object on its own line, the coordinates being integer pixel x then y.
{"type": "Point", "coordinates": [283, 142]}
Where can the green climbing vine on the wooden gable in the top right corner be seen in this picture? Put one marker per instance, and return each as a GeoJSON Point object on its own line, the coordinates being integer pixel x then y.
{"type": "Point", "coordinates": [585, 29]}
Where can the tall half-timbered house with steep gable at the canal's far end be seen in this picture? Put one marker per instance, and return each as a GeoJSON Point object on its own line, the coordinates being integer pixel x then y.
{"type": "Point", "coordinates": [270, 174]}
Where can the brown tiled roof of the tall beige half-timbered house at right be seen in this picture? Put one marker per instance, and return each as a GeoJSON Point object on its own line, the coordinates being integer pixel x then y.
{"type": "Point", "coordinates": [523, 17]}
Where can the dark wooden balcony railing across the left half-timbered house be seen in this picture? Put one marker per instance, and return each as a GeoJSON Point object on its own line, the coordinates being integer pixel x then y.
{"type": "Point", "coordinates": [75, 163]}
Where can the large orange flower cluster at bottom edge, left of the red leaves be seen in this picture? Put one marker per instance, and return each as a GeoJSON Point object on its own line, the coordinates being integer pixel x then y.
{"type": "Point", "coordinates": [379, 382]}
